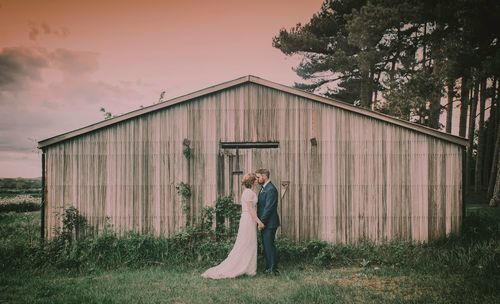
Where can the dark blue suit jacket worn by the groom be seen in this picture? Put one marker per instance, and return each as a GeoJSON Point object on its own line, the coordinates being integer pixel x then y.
{"type": "Point", "coordinates": [267, 206]}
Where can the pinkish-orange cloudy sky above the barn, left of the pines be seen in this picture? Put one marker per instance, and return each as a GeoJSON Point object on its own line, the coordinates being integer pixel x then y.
{"type": "Point", "coordinates": [61, 61]}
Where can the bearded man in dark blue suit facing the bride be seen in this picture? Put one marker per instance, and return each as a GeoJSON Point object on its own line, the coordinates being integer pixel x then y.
{"type": "Point", "coordinates": [267, 212]}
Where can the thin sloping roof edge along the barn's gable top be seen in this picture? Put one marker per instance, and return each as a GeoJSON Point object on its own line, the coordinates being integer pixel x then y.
{"type": "Point", "coordinates": [252, 79]}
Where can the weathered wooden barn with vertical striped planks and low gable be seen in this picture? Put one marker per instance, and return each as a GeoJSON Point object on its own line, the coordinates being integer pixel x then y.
{"type": "Point", "coordinates": [344, 173]}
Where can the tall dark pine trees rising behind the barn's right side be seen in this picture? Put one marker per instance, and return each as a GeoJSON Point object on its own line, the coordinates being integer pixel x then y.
{"type": "Point", "coordinates": [413, 59]}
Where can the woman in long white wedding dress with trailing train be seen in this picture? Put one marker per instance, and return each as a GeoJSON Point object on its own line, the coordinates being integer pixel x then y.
{"type": "Point", "coordinates": [243, 257]}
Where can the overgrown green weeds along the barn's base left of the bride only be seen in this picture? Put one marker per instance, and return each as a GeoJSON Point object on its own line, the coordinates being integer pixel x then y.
{"type": "Point", "coordinates": [109, 251]}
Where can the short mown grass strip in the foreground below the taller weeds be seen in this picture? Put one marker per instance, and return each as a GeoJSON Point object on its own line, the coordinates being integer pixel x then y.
{"type": "Point", "coordinates": [160, 285]}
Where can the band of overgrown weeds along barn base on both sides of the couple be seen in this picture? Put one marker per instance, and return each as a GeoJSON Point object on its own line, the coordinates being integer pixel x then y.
{"type": "Point", "coordinates": [472, 253]}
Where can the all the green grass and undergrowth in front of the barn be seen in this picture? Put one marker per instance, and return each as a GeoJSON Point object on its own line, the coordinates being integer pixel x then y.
{"type": "Point", "coordinates": [111, 268]}
